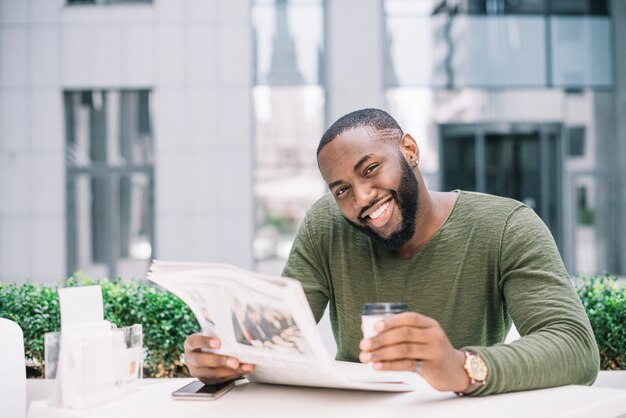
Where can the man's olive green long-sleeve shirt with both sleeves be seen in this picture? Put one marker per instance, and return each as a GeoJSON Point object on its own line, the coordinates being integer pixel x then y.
{"type": "Point", "coordinates": [493, 262]}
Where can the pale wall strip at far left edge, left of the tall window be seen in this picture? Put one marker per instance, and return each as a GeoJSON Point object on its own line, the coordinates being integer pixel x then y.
{"type": "Point", "coordinates": [31, 142]}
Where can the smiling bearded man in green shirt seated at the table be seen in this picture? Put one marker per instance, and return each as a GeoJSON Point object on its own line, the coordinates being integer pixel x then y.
{"type": "Point", "coordinates": [468, 265]}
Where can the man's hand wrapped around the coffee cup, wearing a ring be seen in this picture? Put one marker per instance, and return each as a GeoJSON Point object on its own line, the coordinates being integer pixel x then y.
{"type": "Point", "coordinates": [409, 337]}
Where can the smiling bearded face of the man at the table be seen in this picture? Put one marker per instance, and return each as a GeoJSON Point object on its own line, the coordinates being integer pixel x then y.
{"type": "Point", "coordinates": [373, 185]}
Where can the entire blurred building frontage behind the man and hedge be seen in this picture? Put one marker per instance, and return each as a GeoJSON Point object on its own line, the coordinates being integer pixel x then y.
{"type": "Point", "coordinates": [186, 129]}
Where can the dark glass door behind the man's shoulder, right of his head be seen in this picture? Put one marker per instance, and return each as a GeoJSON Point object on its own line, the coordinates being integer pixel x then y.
{"type": "Point", "coordinates": [519, 161]}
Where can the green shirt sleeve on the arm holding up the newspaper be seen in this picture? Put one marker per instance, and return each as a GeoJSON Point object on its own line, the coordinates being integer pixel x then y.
{"type": "Point", "coordinates": [306, 265]}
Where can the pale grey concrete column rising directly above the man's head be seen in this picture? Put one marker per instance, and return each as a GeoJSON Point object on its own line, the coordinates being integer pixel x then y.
{"type": "Point", "coordinates": [354, 56]}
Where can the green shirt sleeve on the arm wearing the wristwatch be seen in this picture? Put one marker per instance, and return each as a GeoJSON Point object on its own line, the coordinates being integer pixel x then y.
{"type": "Point", "coordinates": [557, 345]}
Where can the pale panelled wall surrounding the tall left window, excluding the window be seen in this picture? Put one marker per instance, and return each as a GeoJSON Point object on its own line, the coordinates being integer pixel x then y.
{"type": "Point", "coordinates": [195, 55]}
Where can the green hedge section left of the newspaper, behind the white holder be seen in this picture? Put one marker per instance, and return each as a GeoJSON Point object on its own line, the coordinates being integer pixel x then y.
{"type": "Point", "coordinates": [166, 320]}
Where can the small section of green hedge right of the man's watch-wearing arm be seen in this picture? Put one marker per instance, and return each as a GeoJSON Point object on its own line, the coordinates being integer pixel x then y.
{"type": "Point", "coordinates": [604, 299]}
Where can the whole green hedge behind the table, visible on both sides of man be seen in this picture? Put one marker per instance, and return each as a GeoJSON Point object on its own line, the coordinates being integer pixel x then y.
{"type": "Point", "coordinates": [167, 320]}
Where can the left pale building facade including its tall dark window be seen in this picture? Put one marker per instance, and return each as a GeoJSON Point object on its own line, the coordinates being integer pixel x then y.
{"type": "Point", "coordinates": [126, 133]}
